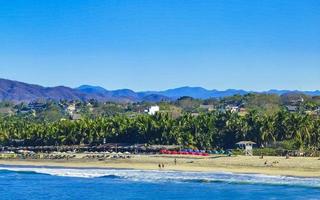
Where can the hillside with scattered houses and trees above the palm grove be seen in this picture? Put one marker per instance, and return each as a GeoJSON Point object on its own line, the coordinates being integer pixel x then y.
{"type": "Point", "coordinates": [52, 110]}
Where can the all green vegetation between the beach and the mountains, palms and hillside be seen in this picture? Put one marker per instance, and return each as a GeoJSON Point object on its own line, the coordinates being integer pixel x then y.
{"type": "Point", "coordinates": [290, 122]}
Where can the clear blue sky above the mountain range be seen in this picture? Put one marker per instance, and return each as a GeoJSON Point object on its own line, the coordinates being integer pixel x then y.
{"type": "Point", "coordinates": [153, 45]}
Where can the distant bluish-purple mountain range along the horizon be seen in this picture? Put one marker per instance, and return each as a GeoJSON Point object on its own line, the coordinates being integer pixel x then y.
{"type": "Point", "coordinates": [19, 92]}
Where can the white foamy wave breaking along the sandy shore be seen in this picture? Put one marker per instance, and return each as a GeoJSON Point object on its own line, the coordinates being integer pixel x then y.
{"type": "Point", "coordinates": [169, 176]}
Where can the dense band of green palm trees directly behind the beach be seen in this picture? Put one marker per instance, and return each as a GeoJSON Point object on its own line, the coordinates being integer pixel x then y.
{"type": "Point", "coordinates": [208, 130]}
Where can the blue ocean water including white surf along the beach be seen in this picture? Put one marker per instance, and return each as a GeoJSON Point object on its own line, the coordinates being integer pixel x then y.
{"type": "Point", "coordinates": [34, 183]}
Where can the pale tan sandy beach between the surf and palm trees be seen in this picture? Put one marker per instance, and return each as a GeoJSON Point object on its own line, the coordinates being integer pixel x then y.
{"type": "Point", "coordinates": [294, 166]}
